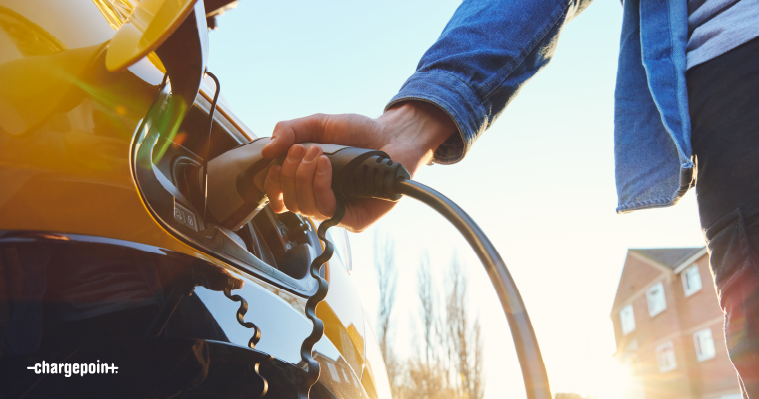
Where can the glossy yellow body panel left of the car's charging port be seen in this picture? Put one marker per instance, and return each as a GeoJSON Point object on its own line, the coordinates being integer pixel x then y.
{"type": "Point", "coordinates": [66, 126]}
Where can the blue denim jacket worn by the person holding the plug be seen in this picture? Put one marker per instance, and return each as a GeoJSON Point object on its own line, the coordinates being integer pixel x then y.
{"type": "Point", "coordinates": [491, 48]}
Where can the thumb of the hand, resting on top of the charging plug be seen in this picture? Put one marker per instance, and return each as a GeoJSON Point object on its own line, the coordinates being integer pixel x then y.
{"type": "Point", "coordinates": [287, 133]}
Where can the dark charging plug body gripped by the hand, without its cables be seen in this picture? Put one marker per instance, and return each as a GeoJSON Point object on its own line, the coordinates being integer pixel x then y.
{"type": "Point", "coordinates": [236, 179]}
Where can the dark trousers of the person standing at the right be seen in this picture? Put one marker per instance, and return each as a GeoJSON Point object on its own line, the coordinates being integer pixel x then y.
{"type": "Point", "coordinates": [724, 109]}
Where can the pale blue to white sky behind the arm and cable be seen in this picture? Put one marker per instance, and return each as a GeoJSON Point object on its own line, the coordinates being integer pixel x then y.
{"type": "Point", "coordinates": [539, 182]}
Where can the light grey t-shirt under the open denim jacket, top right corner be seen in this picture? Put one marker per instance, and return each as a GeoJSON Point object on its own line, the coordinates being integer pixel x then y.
{"type": "Point", "coordinates": [718, 26]}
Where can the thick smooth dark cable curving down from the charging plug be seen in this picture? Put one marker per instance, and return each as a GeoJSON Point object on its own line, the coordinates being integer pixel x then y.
{"type": "Point", "coordinates": [528, 351]}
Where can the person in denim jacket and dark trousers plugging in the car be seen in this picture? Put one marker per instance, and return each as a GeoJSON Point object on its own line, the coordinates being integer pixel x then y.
{"type": "Point", "coordinates": [686, 100]}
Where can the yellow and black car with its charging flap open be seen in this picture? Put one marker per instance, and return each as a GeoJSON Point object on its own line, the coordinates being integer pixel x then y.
{"type": "Point", "coordinates": [114, 282]}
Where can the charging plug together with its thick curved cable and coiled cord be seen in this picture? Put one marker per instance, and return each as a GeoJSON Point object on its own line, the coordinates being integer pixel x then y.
{"type": "Point", "coordinates": [236, 193]}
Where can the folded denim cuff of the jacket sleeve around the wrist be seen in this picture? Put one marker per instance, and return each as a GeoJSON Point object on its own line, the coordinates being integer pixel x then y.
{"type": "Point", "coordinates": [456, 99]}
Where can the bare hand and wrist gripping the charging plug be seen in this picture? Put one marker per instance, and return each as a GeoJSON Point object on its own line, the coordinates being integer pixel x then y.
{"type": "Point", "coordinates": [409, 133]}
